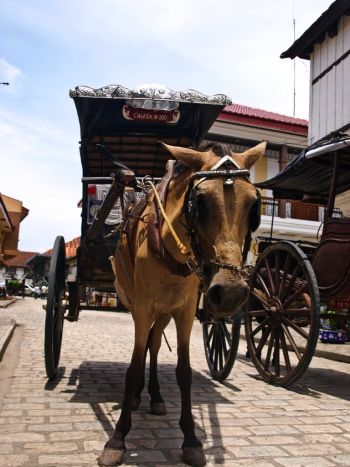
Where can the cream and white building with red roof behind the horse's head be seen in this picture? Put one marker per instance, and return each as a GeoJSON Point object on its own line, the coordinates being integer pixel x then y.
{"type": "Point", "coordinates": [242, 127]}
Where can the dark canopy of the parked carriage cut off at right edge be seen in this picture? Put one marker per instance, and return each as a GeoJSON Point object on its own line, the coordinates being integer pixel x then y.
{"type": "Point", "coordinates": [311, 172]}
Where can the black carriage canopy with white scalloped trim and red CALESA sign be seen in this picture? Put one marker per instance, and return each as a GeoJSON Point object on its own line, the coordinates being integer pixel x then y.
{"type": "Point", "coordinates": [131, 123]}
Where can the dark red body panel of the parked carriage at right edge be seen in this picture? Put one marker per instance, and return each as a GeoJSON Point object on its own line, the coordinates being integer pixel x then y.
{"type": "Point", "coordinates": [331, 261]}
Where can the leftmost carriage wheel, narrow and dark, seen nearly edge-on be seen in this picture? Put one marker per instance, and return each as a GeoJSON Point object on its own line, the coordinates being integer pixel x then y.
{"type": "Point", "coordinates": [55, 308]}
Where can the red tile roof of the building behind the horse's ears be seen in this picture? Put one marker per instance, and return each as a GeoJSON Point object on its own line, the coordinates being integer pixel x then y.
{"type": "Point", "coordinates": [245, 115]}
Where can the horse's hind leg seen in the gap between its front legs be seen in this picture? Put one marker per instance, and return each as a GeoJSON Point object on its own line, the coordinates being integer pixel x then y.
{"type": "Point", "coordinates": [154, 342]}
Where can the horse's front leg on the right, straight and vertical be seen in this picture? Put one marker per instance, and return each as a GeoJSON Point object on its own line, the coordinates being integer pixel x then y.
{"type": "Point", "coordinates": [192, 448]}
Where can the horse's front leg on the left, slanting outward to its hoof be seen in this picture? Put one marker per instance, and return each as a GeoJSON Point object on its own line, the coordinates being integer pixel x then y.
{"type": "Point", "coordinates": [114, 449]}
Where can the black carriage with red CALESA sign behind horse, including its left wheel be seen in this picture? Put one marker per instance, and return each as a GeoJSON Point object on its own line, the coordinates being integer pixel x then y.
{"type": "Point", "coordinates": [120, 130]}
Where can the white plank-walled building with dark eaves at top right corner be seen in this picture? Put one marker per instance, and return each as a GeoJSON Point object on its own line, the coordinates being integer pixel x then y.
{"type": "Point", "coordinates": [326, 43]}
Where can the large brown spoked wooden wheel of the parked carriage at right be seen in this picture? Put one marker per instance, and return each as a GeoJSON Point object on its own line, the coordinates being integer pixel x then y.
{"type": "Point", "coordinates": [282, 314]}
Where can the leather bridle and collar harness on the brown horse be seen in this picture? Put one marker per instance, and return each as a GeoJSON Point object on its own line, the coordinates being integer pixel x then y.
{"type": "Point", "coordinates": [227, 169]}
